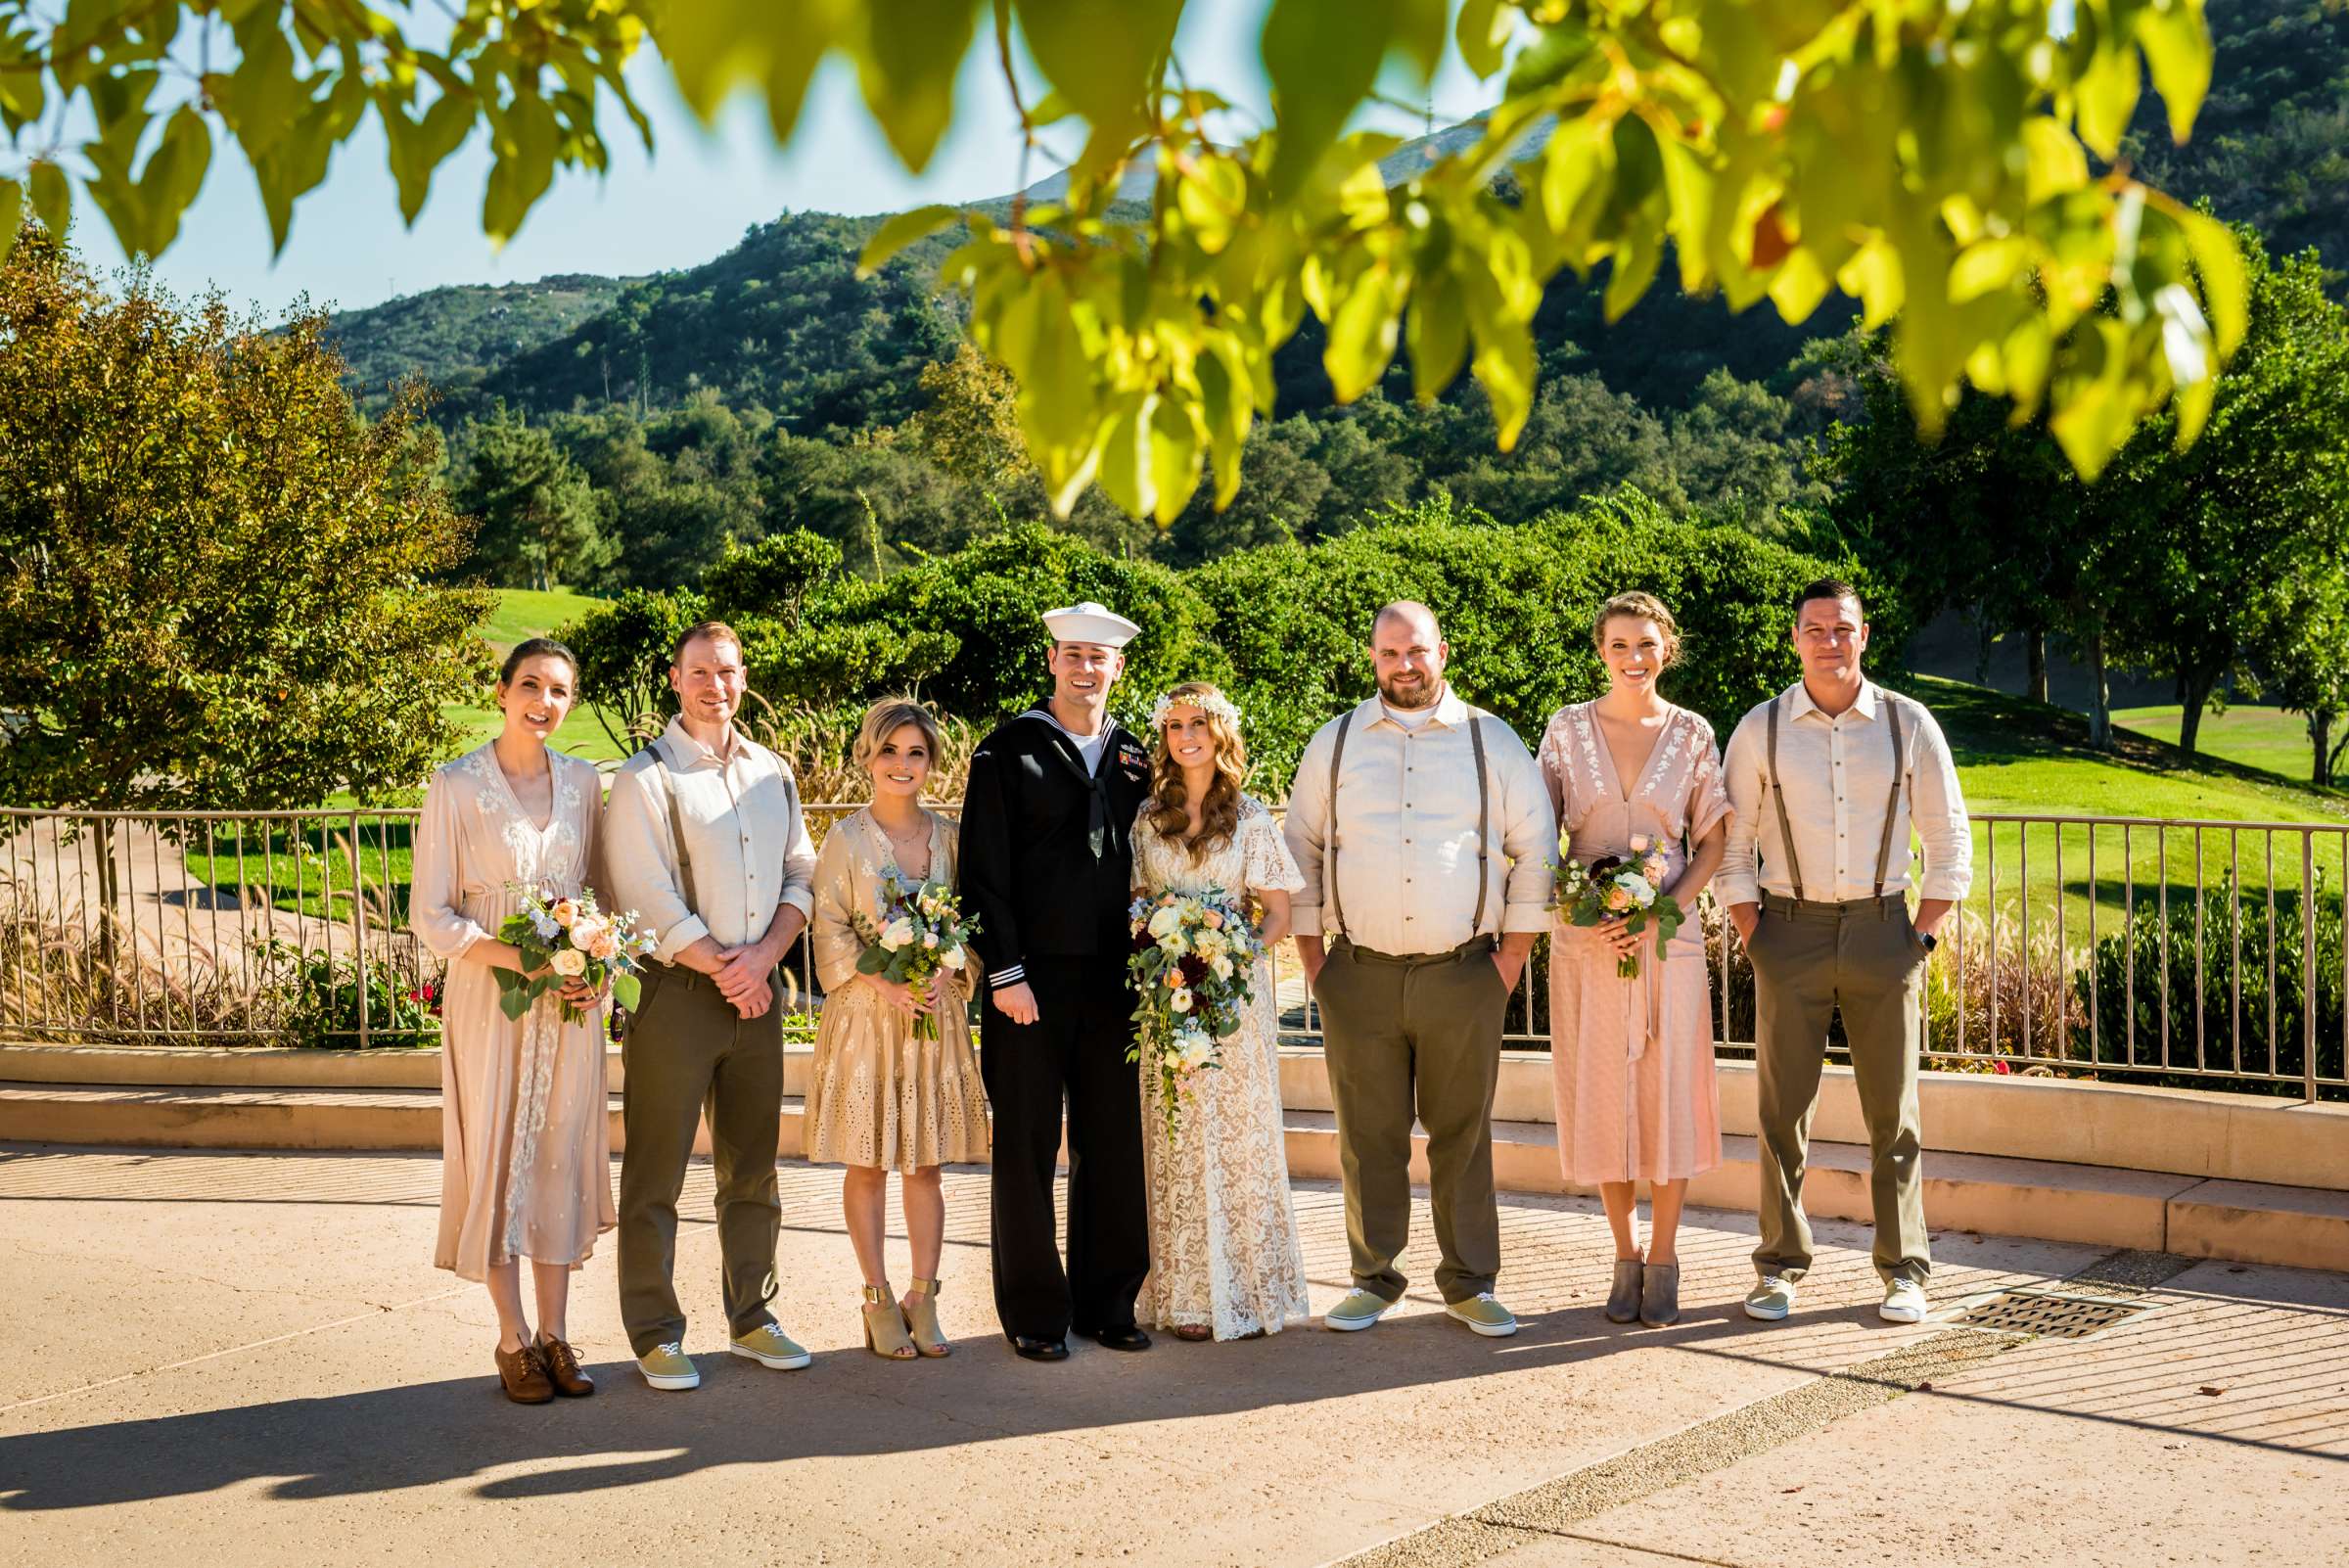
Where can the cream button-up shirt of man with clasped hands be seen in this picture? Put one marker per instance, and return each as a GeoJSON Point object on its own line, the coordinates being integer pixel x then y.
{"type": "Point", "coordinates": [746, 837]}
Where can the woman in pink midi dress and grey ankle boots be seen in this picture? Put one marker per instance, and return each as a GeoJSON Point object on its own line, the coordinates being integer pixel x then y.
{"type": "Point", "coordinates": [1634, 1057]}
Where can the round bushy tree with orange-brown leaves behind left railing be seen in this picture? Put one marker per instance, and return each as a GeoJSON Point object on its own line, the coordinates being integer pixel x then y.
{"type": "Point", "coordinates": [215, 581]}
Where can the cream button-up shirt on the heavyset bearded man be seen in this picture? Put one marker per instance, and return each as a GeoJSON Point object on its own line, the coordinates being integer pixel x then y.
{"type": "Point", "coordinates": [1406, 832]}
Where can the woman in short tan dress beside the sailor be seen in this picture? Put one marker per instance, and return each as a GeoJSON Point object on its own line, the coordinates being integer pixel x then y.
{"type": "Point", "coordinates": [877, 1097]}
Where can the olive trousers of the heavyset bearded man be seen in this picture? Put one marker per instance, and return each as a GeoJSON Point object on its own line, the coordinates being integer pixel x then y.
{"type": "Point", "coordinates": [1415, 1036]}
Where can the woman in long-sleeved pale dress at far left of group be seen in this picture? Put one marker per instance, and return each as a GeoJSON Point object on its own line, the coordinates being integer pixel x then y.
{"type": "Point", "coordinates": [525, 1128]}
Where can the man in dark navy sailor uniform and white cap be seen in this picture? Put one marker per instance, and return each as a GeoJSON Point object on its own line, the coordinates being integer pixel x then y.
{"type": "Point", "coordinates": [1049, 867]}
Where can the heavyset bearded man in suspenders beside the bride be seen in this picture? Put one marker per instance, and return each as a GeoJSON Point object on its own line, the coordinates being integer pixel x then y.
{"type": "Point", "coordinates": [1425, 837]}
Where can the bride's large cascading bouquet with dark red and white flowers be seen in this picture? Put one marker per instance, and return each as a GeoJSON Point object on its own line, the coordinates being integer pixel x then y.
{"type": "Point", "coordinates": [1194, 957]}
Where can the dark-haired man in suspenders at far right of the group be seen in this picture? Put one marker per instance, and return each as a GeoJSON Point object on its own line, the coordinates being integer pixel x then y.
{"type": "Point", "coordinates": [1826, 783]}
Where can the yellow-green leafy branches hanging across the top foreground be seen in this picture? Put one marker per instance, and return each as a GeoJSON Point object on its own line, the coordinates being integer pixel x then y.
{"type": "Point", "coordinates": [1930, 158]}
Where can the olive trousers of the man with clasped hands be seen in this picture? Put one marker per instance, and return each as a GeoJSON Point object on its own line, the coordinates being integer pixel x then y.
{"type": "Point", "coordinates": [689, 1050]}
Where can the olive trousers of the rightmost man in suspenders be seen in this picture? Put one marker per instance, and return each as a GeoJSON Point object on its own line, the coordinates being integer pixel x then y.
{"type": "Point", "coordinates": [1810, 961]}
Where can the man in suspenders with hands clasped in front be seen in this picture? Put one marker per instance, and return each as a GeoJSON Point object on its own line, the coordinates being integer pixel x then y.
{"type": "Point", "coordinates": [706, 842]}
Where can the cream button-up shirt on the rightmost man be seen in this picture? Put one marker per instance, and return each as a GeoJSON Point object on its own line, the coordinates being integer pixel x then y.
{"type": "Point", "coordinates": [1838, 780]}
